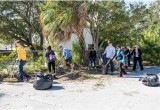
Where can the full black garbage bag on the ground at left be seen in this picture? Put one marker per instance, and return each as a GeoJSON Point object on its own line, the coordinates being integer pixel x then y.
{"type": "Point", "coordinates": [43, 81]}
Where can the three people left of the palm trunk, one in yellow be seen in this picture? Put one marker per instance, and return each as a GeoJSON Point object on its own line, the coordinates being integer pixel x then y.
{"type": "Point", "coordinates": [50, 56]}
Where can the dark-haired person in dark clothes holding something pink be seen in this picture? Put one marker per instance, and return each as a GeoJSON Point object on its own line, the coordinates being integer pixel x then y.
{"type": "Point", "coordinates": [50, 55]}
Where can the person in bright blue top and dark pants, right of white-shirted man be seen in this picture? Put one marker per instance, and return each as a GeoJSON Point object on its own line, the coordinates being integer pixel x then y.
{"type": "Point", "coordinates": [120, 57]}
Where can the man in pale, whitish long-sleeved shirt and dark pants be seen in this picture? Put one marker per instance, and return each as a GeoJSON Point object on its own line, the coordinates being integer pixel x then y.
{"type": "Point", "coordinates": [110, 52]}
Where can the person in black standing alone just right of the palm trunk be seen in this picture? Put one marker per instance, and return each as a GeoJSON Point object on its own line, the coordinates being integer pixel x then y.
{"type": "Point", "coordinates": [92, 57]}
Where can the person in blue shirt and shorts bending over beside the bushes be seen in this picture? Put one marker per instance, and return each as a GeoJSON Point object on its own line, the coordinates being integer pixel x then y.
{"type": "Point", "coordinates": [66, 53]}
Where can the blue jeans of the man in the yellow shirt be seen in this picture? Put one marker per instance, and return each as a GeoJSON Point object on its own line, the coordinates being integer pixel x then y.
{"type": "Point", "coordinates": [21, 72]}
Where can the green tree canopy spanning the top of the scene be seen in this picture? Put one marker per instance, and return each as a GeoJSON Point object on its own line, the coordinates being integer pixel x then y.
{"type": "Point", "coordinates": [123, 24]}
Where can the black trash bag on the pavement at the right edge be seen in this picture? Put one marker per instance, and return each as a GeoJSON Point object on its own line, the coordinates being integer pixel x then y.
{"type": "Point", "coordinates": [151, 80]}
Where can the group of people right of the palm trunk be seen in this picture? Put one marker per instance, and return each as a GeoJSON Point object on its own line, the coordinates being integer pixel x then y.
{"type": "Point", "coordinates": [120, 55]}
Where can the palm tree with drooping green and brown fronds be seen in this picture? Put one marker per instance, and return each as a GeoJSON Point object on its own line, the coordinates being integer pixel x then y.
{"type": "Point", "coordinates": [60, 19]}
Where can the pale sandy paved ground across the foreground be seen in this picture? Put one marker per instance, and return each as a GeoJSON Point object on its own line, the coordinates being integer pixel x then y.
{"type": "Point", "coordinates": [107, 93]}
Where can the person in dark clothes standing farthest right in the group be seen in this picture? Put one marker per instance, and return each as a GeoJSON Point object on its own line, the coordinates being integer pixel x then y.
{"type": "Point", "coordinates": [137, 57]}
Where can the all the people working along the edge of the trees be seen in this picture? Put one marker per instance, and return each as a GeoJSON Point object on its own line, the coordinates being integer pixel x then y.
{"type": "Point", "coordinates": [119, 54]}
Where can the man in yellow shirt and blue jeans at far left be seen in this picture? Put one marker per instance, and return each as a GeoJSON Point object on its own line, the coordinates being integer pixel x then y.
{"type": "Point", "coordinates": [22, 61]}
